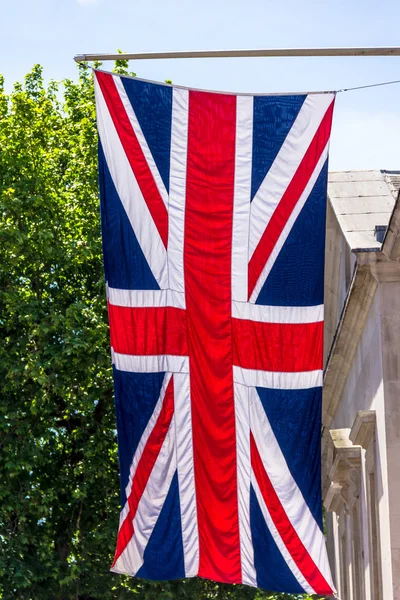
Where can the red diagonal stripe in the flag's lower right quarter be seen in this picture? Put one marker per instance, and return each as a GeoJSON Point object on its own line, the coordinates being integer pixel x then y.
{"type": "Point", "coordinates": [285, 529]}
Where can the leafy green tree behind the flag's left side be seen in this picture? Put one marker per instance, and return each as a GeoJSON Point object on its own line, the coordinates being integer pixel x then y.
{"type": "Point", "coordinates": [59, 490]}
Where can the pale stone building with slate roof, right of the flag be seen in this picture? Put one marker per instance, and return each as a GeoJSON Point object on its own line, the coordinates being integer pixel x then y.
{"type": "Point", "coordinates": [361, 399]}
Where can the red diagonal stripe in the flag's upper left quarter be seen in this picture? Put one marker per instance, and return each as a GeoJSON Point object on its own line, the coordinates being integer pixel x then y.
{"type": "Point", "coordinates": [134, 154]}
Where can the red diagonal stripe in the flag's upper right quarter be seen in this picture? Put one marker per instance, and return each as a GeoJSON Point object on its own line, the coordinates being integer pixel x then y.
{"type": "Point", "coordinates": [289, 199]}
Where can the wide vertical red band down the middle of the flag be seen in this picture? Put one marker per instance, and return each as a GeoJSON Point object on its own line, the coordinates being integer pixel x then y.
{"type": "Point", "coordinates": [207, 266]}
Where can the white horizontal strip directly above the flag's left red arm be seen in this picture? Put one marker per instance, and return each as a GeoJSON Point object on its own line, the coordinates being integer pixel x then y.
{"type": "Point", "coordinates": [145, 298]}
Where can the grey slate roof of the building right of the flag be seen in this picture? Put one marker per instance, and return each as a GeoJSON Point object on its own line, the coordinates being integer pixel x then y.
{"type": "Point", "coordinates": [362, 200]}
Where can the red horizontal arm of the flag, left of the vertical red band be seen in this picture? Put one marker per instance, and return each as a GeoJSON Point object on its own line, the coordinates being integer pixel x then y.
{"type": "Point", "coordinates": [148, 331]}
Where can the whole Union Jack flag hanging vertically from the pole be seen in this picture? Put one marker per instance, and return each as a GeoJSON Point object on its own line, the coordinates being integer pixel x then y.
{"type": "Point", "coordinates": [213, 222]}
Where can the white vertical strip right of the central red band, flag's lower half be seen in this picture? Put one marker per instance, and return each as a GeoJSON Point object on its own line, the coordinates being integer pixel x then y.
{"type": "Point", "coordinates": [249, 576]}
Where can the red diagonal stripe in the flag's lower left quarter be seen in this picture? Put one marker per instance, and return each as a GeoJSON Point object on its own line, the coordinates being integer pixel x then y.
{"type": "Point", "coordinates": [145, 467]}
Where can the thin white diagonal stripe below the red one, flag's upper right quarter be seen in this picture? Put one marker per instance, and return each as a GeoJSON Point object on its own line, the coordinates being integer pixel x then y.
{"type": "Point", "coordinates": [289, 224]}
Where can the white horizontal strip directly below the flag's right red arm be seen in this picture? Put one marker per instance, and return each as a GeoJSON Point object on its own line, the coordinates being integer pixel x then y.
{"type": "Point", "coordinates": [278, 380]}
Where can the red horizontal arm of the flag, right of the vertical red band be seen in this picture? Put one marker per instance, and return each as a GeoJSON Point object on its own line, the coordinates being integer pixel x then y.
{"type": "Point", "coordinates": [281, 347]}
